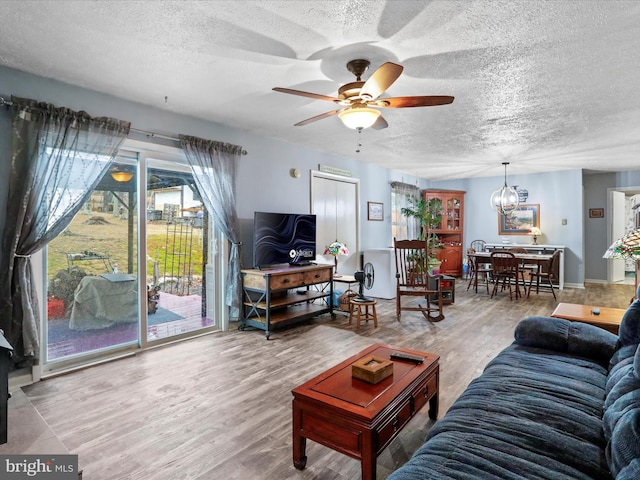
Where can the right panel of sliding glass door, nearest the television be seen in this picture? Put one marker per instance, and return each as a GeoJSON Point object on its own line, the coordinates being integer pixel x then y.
{"type": "Point", "coordinates": [177, 229]}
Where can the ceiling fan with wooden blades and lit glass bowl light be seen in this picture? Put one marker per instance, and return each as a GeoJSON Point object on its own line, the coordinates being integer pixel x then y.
{"type": "Point", "coordinates": [360, 100]}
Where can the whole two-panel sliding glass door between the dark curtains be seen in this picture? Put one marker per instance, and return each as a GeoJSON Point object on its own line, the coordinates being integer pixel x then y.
{"type": "Point", "coordinates": [135, 267]}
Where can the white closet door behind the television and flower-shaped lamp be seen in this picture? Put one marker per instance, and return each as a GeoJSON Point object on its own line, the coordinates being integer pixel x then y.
{"type": "Point", "coordinates": [334, 201]}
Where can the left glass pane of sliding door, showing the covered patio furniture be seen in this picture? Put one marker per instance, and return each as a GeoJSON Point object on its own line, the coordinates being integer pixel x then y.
{"type": "Point", "coordinates": [92, 271]}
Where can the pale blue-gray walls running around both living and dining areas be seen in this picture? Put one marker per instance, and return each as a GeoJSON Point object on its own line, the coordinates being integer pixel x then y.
{"type": "Point", "coordinates": [264, 182]}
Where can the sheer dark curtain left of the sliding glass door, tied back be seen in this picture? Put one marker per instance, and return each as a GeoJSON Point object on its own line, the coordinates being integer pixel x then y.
{"type": "Point", "coordinates": [58, 157]}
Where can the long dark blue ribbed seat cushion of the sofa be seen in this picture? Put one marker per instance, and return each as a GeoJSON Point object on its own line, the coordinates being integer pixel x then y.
{"type": "Point", "coordinates": [533, 413]}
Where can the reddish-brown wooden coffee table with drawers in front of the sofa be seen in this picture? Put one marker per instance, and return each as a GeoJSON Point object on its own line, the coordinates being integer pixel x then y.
{"type": "Point", "coordinates": [357, 418]}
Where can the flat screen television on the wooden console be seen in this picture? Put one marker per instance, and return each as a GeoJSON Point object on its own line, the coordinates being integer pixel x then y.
{"type": "Point", "coordinates": [280, 238]}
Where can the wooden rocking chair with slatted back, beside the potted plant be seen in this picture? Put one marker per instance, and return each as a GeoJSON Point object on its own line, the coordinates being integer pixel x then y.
{"type": "Point", "coordinates": [413, 279]}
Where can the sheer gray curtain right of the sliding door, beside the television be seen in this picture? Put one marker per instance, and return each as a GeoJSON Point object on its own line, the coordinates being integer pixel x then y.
{"type": "Point", "coordinates": [213, 165]}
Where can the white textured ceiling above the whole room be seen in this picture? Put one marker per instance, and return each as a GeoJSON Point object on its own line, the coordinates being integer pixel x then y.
{"type": "Point", "coordinates": [545, 85]}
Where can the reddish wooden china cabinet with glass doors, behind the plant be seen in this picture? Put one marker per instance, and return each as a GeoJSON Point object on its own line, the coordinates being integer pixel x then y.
{"type": "Point", "coordinates": [450, 229]}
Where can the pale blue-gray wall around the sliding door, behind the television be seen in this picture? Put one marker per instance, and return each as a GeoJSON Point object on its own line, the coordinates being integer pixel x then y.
{"type": "Point", "coordinates": [263, 182]}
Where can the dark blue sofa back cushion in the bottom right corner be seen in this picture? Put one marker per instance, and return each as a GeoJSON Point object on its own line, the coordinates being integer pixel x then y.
{"type": "Point", "coordinates": [624, 448]}
